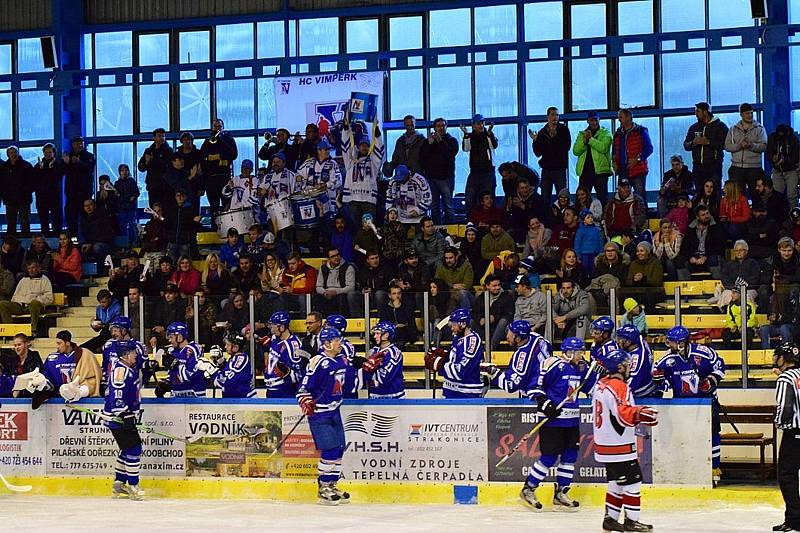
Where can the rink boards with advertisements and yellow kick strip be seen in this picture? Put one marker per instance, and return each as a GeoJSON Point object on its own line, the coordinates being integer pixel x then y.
{"type": "Point", "coordinates": [408, 450]}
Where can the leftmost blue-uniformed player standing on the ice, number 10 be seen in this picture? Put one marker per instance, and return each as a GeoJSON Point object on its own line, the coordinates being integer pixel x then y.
{"type": "Point", "coordinates": [123, 403]}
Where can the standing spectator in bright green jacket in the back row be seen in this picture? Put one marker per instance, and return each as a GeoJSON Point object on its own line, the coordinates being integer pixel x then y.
{"type": "Point", "coordinates": [593, 148]}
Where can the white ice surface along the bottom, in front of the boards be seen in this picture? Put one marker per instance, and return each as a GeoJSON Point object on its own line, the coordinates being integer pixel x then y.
{"type": "Point", "coordinates": [21, 513]}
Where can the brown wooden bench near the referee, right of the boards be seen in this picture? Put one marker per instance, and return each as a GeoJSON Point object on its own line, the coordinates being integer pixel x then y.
{"type": "Point", "coordinates": [751, 414]}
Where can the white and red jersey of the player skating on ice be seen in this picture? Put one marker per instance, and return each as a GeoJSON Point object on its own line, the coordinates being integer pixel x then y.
{"type": "Point", "coordinates": [615, 417]}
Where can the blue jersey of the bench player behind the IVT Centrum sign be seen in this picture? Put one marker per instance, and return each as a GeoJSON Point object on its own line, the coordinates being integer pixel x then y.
{"type": "Point", "coordinates": [462, 372]}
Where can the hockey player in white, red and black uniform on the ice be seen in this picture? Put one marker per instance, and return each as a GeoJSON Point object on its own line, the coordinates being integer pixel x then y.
{"type": "Point", "coordinates": [615, 419]}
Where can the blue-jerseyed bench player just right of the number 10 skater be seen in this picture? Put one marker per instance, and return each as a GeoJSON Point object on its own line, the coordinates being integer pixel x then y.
{"type": "Point", "coordinates": [184, 378]}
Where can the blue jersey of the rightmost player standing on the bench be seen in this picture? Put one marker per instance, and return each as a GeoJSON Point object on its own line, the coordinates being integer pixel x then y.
{"type": "Point", "coordinates": [684, 375]}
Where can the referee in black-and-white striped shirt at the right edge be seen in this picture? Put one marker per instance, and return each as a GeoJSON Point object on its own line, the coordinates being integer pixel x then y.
{"type": "Point", "coordinates": [787, 418]}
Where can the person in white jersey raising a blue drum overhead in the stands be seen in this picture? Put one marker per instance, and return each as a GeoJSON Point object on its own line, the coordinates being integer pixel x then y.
{"type": "Point", "coordinates": [362, 165]}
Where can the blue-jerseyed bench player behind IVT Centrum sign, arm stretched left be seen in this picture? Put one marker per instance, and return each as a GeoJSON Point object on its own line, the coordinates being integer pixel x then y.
{"type": "Point", "coordinates": [461, 367]}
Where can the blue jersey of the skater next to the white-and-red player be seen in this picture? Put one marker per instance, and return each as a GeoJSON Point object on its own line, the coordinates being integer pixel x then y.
{"type": "Point", "coordinates": [559, 380]}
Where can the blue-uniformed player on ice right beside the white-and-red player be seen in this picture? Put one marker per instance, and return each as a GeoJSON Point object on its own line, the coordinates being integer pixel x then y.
{"type": "Point", "coordinates": [559, 381]}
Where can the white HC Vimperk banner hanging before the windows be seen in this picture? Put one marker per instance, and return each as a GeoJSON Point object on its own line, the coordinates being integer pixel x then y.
{"type": "Point", "coordinates": [321, 99]}
